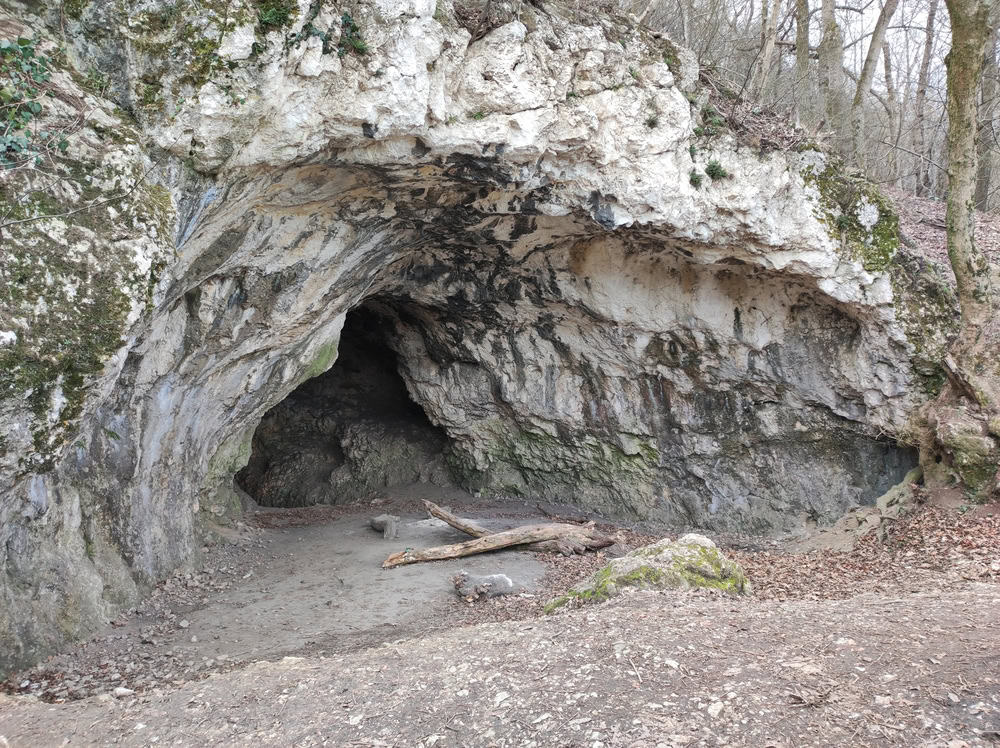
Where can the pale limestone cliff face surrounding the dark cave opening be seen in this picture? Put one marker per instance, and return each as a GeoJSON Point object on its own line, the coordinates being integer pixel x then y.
{"type": "Point", "coordinates": [517, 205]}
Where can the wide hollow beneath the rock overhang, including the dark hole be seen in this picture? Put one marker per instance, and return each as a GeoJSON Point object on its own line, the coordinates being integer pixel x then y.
{"type": "Point", "coordinates": [610, 373]}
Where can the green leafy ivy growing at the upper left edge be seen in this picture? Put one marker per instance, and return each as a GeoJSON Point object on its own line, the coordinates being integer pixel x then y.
{"type": "Point", "coordinates": [23, 75]}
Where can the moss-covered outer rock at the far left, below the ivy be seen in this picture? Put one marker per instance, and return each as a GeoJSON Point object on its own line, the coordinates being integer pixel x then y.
{"type": "Point", "coordinates": [80, 245]}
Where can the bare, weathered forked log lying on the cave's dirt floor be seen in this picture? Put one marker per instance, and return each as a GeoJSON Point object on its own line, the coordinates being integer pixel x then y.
{"type": "Point", "coordinates": [566, 539]}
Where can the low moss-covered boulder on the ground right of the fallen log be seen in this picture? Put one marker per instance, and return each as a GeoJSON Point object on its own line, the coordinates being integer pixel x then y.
{"type": "Point", "coordinates": [692, 561]}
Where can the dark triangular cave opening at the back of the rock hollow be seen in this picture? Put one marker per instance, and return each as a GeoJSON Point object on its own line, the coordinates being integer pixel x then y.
{"type": "Point", "coordinates": [348, 433]}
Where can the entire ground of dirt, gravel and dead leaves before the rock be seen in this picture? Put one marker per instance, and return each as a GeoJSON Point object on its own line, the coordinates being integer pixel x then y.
{"type": "Point", "coordinates": [292, 634]}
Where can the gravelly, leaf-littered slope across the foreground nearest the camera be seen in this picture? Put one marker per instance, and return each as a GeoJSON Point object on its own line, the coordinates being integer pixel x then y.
{"type": "Point", "coordinates": [647, 669]}
